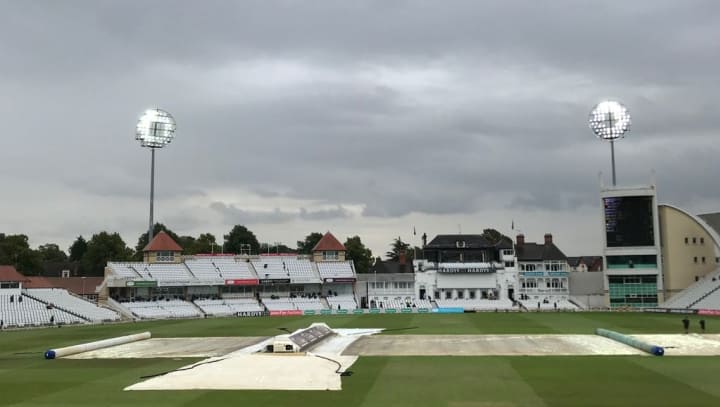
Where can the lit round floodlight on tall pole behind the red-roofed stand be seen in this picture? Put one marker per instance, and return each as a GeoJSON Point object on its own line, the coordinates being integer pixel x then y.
{"type": "Point", "coordinates": [154, 130]}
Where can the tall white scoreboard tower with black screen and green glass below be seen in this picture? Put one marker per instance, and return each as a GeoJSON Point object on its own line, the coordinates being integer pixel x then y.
{"type": "Point", "coordinates": [631, 250]}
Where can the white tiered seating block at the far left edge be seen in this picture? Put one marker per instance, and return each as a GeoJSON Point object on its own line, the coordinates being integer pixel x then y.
{"type": "Point", "coordinates": [30, 312]}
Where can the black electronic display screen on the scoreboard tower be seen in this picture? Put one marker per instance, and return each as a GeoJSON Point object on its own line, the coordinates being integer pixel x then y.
{"type": "Point", "coordinates": [629, 221]}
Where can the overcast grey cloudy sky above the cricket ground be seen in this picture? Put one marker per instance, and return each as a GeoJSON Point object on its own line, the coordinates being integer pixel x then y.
{"type": "Point", "coordinates": [366, 118]}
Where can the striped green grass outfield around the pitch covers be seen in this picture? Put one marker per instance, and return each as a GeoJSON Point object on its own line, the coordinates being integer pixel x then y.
{"type": "Point", "coordinates": [26, 379]}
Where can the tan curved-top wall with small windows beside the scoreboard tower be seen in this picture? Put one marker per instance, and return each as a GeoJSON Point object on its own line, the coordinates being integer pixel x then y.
{"type": "Point", "coordinates": [680, 267]}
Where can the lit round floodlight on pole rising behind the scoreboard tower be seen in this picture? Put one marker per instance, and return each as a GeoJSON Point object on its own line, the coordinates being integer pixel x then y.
{"type": "Point", "coordinates": [609, 120]}
